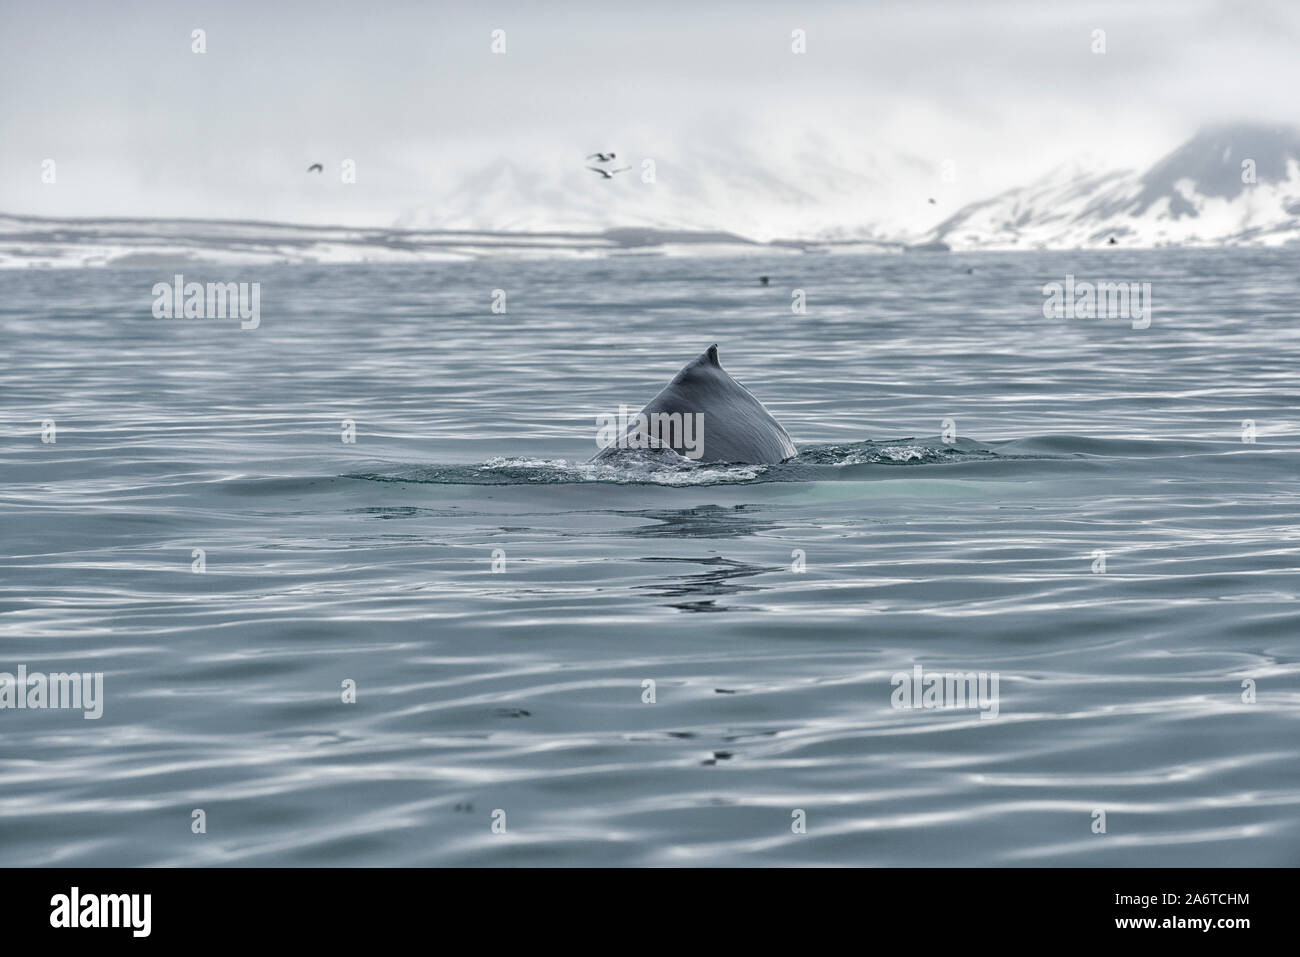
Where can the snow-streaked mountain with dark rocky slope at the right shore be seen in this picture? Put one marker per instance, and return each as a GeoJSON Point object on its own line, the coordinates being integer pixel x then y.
{"type": "Point", "coordinates": [1228, 185]}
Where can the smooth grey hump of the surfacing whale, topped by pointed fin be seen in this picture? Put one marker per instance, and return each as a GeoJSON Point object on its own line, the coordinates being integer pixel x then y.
{"type": "Point", "coordinates": [736, 426]}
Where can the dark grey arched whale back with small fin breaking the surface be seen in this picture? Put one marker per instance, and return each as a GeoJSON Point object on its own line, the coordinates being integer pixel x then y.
{"type": "Point", "coordinates": [727, 423]}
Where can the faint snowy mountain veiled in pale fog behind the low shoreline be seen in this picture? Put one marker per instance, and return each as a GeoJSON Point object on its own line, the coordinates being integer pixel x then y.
{"type": "Point", "coordinates": [805, 189]}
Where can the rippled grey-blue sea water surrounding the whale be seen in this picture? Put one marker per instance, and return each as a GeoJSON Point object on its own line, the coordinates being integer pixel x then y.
{"type": "Point", "coordinates": [1163, 691]}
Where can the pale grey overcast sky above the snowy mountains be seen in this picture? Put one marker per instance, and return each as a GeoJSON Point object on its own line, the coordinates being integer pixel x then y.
{"type": "Point", "coordinates": [140, 125]}
